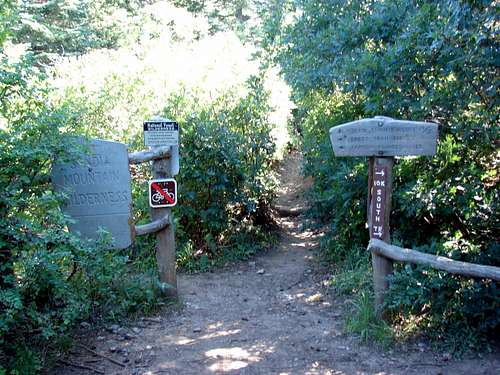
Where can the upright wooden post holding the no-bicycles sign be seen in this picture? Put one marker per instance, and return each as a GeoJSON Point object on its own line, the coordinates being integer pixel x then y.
{"type": "Point", "coordinates": [165, 238]}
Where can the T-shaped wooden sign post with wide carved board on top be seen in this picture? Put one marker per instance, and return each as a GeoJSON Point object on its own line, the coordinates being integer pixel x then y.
{"type": "Point", "coordinates": [382, 138]}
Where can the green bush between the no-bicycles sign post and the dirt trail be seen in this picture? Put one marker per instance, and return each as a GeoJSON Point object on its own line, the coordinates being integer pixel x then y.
{"type": "Point", "coordinates": [225, 182]}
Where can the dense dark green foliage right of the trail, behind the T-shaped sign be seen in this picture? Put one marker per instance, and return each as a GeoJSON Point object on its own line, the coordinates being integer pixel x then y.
{"type": "Point", "coordinates": [417, 60]}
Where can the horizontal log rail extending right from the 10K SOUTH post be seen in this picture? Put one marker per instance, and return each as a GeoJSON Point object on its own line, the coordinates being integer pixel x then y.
{"type": "Point", "coordinates": [438, 262]}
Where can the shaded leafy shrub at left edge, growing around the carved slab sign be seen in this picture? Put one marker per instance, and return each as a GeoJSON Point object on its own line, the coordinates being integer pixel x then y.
{"type": "Point", "coordinates": [49, 279]}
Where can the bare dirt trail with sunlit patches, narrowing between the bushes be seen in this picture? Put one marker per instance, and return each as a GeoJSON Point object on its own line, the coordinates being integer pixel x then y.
{"type": "Point", "coordinates": [271, 315]}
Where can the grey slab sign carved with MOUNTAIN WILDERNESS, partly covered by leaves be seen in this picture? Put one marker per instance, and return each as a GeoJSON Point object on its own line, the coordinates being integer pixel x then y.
{"type": "Point", "coordinates": [99, 192]}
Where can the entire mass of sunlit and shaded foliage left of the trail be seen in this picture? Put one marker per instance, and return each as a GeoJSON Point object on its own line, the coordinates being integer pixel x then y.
{"type": "Point", "coordinates": [56, 81]}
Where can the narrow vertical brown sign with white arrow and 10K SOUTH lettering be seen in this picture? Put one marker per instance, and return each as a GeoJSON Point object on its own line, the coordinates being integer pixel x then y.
{"type": "Point", "coordinates": [378, 202]}
